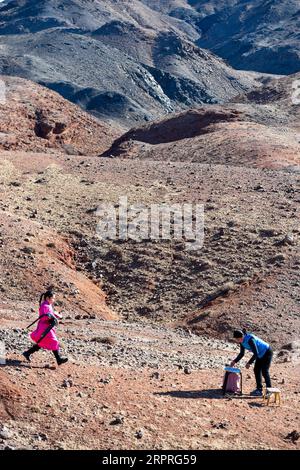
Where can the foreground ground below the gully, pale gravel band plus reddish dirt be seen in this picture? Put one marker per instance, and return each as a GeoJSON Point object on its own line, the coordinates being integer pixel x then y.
{"type": "Point", "coordinates": [135, 386]}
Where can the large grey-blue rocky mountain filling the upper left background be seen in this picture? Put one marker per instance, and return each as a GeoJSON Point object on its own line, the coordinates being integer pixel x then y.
{"type": "Point", "coordinates": [118, 60]}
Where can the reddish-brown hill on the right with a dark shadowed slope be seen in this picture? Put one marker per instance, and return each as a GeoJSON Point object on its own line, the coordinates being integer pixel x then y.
{"type": "Point", "coordinates": [258, 129]}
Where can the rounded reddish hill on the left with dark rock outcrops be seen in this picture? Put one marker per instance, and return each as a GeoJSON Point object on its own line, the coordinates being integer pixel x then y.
{"type": "Point", "coordinates": [33, 118]}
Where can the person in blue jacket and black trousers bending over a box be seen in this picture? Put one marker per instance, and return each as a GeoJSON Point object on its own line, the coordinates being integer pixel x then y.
{"type": "Point", "coordinates": [262, 355]}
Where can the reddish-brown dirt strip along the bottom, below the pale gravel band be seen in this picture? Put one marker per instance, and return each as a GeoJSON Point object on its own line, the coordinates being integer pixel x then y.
{"type": "Point", "coordinates": [92, 407]}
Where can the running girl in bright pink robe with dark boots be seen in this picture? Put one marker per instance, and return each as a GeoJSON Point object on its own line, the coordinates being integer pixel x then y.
{"type": "Point", "coordinates": [44, 335]}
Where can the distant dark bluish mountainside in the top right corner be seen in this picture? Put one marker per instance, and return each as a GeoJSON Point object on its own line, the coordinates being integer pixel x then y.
{"type": "Point", "coordinates": [256, 35]}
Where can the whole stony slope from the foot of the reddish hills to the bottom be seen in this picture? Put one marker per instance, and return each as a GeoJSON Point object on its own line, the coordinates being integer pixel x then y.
{"type": "Point", "coordinates": [125, 385]}
